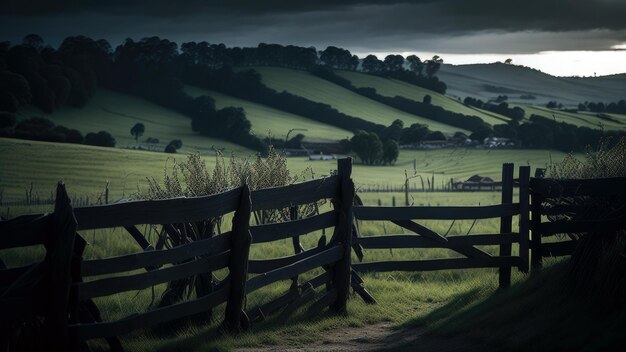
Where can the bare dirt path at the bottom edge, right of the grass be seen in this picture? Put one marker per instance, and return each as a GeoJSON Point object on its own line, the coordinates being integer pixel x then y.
{"type": "Point", "coordinates": [378, 337]}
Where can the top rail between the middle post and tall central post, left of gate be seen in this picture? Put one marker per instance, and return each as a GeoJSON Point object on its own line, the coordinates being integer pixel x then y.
{"type": "Point", "coordinates": [296, 194]}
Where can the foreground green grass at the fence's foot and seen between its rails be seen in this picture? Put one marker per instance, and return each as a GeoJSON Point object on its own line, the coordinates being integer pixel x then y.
{"type": "Point", "coordinates": [402, 297]}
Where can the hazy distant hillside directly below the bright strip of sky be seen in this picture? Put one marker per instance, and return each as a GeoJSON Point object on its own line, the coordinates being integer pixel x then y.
{"type": "Point", "coordinates": [487, 81]}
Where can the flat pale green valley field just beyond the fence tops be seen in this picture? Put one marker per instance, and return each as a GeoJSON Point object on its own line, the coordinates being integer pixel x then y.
{"type": "Point", "coordinates": [87, 169]}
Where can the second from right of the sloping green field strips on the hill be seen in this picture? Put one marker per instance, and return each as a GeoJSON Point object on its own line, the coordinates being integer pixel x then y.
{"type": "Point", "coordinates": [316, 89]}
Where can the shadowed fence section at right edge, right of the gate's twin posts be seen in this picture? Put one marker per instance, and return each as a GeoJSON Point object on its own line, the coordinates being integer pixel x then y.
{"type": "Point", "coordinates": [563, 209]}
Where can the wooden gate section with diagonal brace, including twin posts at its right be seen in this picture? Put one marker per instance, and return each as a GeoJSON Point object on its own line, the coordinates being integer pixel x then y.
{"type": "Point", "coordinates": [464, 245]}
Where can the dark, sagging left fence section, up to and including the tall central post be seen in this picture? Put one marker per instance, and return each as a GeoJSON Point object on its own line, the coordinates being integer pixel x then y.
{"type": "Point", "coordinates": [66, 284]}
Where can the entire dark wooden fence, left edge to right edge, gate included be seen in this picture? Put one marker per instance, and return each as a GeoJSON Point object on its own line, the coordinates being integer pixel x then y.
{"type": "Point", "coordinates": [62, 287]}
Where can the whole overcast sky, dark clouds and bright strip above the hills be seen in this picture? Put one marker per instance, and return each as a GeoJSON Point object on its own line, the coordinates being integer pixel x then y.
{"type": "Point", "coordinates": [561, 37]}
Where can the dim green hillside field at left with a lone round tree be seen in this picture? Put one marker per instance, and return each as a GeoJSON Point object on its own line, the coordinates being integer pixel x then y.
{"type": "Point", "coordinates": [117, 113]}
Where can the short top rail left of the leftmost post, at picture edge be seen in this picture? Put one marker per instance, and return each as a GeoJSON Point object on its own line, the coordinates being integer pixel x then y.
{"type": "Point", "coordinates": [27, 230]}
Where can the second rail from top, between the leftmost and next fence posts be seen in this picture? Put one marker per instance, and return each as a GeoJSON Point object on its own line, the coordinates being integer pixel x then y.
{"type": "Point", "coordinates": [210, 246]}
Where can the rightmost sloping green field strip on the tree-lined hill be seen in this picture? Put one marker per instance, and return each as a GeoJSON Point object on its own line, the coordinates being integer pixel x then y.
{"type": "Point", "coordinates": [391, 88]}
